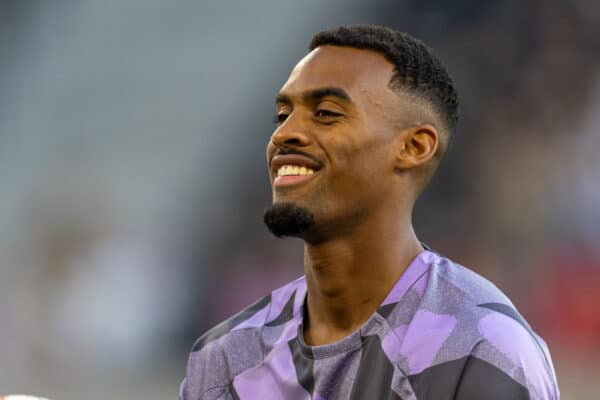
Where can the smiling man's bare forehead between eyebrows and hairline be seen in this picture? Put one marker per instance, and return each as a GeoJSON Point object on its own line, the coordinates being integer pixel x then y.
{"type": "Point", "coordinates": [357, 71]}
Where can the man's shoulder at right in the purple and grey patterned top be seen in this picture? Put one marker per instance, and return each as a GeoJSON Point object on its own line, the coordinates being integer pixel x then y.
{"type": "Point", "coordinates": [486, 340]}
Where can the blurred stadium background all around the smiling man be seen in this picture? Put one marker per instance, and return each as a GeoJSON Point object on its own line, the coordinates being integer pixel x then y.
{"type": "Point", "coordinates": [132, 168]}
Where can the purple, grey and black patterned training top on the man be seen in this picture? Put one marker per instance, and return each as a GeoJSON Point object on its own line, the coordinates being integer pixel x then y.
{"type": "Point", "coordinates": [443, 332]}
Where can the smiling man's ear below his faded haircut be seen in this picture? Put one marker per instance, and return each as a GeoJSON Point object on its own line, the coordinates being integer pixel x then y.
{"type": "Point", "coordinates": [416, 145]}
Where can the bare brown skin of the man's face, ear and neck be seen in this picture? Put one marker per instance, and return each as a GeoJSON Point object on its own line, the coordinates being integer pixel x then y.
{"type": "Point", "coordinates": [375, 147]}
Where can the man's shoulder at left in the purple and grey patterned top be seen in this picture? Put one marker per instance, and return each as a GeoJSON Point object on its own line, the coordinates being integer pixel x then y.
{"type": "Point", "coordinates": [238, 343]}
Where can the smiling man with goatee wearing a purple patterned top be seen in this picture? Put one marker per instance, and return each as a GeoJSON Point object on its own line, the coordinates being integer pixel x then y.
{"type": "Point", "coordinates": [362, 123]}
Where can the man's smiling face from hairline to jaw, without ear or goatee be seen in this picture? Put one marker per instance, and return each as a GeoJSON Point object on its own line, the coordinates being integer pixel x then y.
{"type": "Point", "coordinates": [331, 153]}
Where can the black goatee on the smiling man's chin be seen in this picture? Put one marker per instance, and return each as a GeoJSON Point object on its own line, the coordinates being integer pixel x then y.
{"type": "Point", "coordinates": [287, 219]}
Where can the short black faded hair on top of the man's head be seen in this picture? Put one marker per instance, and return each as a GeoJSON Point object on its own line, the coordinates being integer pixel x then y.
{"type": "Point", "coordinates": [416, 68]}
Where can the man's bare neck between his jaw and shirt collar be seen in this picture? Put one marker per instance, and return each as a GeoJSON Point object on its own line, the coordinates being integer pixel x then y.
{"type": "Point", "coordinates": [349, 276]}
